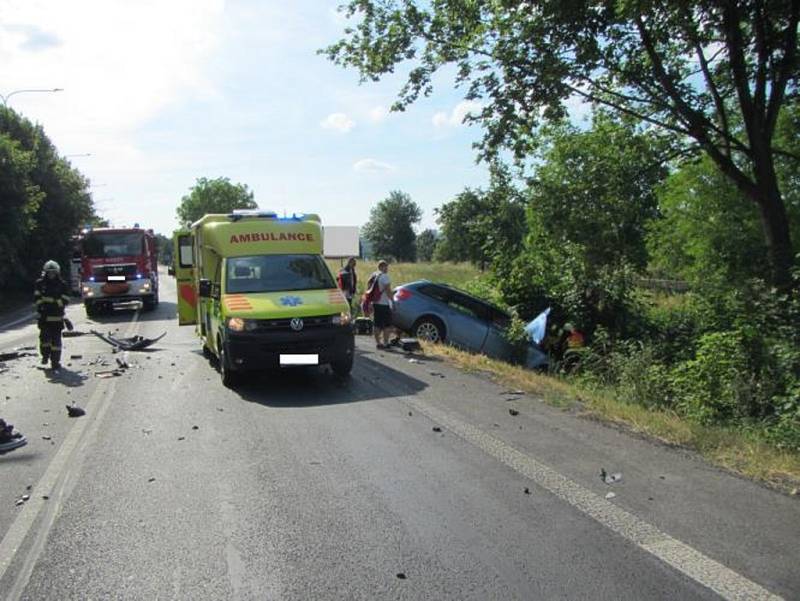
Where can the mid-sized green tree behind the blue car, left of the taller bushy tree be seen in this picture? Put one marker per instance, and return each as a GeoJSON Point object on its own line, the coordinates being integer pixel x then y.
{"type": "Point", "coordinates": [480, 225]}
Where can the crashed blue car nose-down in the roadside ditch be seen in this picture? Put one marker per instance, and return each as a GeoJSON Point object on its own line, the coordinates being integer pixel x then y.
{"type": "Point", "coordinates": [440, 313]}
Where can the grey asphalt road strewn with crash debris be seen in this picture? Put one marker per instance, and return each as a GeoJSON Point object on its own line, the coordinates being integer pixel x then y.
{"type": "Point", "coordinates": [299, 486]}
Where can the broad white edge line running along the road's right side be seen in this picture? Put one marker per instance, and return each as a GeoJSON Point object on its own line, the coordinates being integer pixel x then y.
{"type": "Point", "coordinates": [687, 560]}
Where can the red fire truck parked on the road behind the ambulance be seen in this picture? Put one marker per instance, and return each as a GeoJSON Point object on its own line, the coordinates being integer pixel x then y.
{"type": "Point", "coordinates": [118, 265]}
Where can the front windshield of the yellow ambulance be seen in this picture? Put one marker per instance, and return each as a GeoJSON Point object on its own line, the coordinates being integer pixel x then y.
{"type": "Point", "coordinates": [277, 273]}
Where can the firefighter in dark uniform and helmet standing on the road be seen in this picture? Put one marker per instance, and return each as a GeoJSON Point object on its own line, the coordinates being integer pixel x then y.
{"type": "Point", "coordinates": [51, 296]}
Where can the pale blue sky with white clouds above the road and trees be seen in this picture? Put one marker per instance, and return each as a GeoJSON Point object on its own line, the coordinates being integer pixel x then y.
{"type": "Point", "coordinates": [163, 92]}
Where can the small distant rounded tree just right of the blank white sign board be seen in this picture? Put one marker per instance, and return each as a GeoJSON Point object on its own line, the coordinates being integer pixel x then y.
{"type": "Point", "coordinates": [390, 229]}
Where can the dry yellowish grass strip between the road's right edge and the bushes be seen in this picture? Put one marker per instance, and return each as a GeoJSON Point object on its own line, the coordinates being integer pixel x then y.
{"type": "Point", "coordinates": [732, 449]}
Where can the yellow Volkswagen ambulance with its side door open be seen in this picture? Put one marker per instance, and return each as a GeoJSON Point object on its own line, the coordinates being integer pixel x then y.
{"type": "Point", "coordinates": [260, 294]}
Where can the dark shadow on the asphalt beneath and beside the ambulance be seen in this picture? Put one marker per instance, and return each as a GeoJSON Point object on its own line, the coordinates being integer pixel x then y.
{"type": "Point", "coordinates": [313, 386]}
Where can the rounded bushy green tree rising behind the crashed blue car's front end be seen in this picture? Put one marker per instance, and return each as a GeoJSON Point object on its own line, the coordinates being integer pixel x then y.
{"type": "Point", "coordinates": [595, 188]}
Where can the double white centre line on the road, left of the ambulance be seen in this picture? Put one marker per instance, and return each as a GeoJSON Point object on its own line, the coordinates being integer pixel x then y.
{"type": "Point", "coordinates": [54, 484]}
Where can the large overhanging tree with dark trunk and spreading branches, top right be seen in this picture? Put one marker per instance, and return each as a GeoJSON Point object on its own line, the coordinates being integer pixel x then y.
{"type": "Point", "coordinates": [712, 75]}
